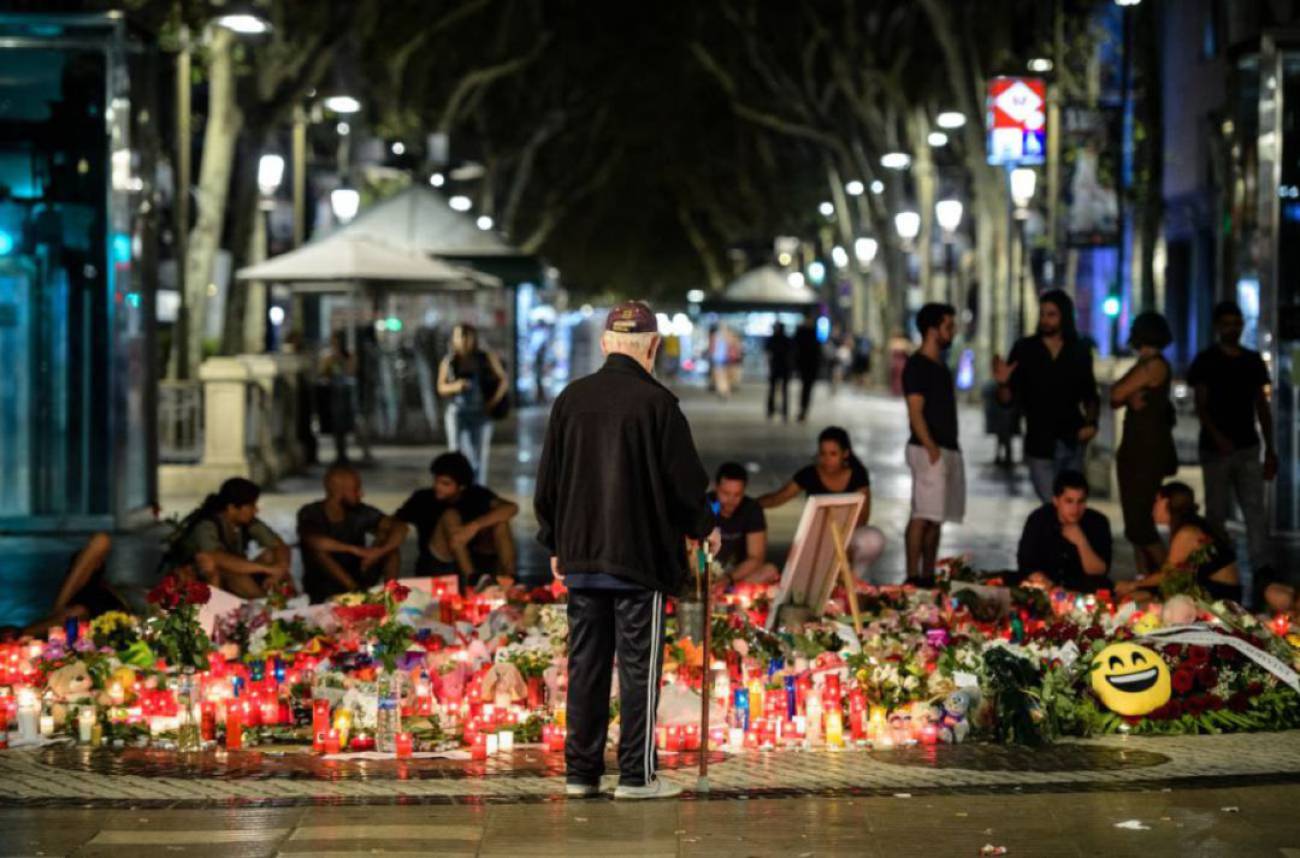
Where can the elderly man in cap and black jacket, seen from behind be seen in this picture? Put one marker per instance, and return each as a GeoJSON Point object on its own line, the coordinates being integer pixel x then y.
{"type": "Point", "coordinates": [619, 488]}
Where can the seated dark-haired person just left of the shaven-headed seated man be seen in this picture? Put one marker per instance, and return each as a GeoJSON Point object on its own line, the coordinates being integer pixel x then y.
{"type": "Point", "coordinates": [214, 540]}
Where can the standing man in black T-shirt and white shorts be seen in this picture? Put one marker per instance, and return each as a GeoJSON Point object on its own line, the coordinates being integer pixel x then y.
{"type": "Point", "coordinates": [934, 454]}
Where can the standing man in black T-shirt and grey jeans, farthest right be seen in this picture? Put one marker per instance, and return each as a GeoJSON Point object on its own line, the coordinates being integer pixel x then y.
{"type": "Point", "coordinates": [1232, 396]}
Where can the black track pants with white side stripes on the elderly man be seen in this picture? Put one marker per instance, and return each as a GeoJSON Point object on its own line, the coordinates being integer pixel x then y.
{"type": "Point", "coordinates": [601, 625]}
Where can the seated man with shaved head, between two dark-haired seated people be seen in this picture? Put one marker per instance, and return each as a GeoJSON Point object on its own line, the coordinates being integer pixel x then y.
{"type": "Point", "coordinates": [332, 535]}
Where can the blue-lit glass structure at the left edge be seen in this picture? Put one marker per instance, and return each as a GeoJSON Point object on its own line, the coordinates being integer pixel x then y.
{"type": "Point", "coordinates": [77, 395]}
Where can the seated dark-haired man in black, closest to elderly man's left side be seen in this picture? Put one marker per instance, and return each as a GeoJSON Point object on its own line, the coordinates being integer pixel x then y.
{"type": "Point", "coordinates": [463, 527]}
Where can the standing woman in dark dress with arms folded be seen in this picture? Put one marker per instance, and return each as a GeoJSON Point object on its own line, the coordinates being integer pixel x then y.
{"type": "Point", "coordinates": [1147, 453]}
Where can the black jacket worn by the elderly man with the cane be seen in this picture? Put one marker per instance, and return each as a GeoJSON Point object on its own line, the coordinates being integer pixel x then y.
{"type": "Point", "coordinates": [621, 486]}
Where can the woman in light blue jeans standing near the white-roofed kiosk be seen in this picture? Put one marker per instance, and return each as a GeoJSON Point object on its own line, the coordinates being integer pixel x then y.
{"type": "Point", "coordinates": [476, 384]}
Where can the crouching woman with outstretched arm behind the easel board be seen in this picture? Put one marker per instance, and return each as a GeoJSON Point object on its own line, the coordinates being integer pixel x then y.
{"type": "Point", "coordinates": [838, 471]}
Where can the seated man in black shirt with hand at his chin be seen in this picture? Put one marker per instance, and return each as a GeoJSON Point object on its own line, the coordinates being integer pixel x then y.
{"type": "Point", "coordinates": [1065, 544]}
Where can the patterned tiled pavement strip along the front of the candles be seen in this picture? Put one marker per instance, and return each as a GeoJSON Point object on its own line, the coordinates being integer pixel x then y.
{"type": "Point", "coordinates": [53, 777]}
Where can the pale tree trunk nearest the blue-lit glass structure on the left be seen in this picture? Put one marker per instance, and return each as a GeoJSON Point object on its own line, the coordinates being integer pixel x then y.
{"type": "Point", "coordinates": [219, 148]}
